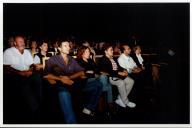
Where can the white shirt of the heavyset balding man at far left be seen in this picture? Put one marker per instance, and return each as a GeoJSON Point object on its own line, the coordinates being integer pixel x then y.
{"type": "Point", "coordinates": [16, 60]}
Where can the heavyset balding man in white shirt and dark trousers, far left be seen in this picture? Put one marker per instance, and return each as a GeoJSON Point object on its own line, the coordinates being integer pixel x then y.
{"type": "Point", "coordinates": [24, 85]}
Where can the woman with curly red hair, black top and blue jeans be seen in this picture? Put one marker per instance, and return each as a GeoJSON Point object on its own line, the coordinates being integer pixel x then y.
{"type": "Point", "coordinates": [92, 72]}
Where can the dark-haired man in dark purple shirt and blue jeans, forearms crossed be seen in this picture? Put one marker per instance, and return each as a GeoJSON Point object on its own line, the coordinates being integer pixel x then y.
{"type": "Point", "coordinates": [62, 71]}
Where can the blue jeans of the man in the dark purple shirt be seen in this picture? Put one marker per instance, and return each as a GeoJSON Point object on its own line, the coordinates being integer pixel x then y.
{"type": "Point", "coordinates": [94, 88]}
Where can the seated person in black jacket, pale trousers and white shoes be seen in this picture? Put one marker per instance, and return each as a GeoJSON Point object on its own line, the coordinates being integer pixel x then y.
{"type": "Point", "coordinates": [118, 77]}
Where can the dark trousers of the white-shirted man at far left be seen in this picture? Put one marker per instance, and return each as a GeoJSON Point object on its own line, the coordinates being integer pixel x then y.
{"type": "Point", "coordinates": [22, 96]}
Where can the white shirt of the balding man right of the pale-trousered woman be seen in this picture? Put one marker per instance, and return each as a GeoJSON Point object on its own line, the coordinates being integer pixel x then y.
{"type": "Point", "coordinates": [126, 62]}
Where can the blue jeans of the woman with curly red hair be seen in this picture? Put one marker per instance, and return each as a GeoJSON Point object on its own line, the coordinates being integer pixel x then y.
{"type": "Point", "coordinates": [106, 86]}
